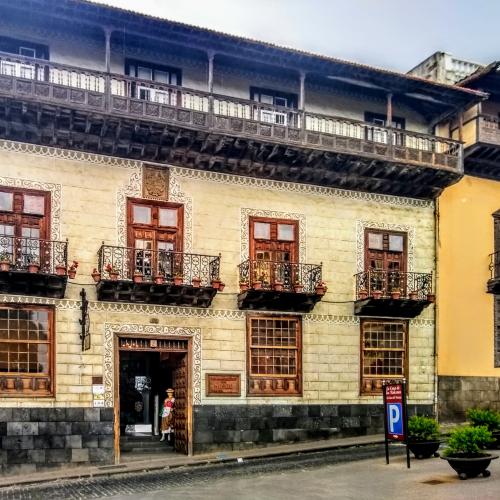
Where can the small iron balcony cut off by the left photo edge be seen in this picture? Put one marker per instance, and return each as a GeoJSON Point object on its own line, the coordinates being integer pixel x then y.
{"type": "Point", "coordinates": [30, 266]}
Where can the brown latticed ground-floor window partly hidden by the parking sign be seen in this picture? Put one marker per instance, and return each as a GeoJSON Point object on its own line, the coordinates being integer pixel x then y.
{"type": "Point", "coordinates": [383, 353]}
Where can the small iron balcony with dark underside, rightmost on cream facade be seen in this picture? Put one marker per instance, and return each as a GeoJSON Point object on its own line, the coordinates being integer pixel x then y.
{"type": "Point", "coordinates": [392, 294]}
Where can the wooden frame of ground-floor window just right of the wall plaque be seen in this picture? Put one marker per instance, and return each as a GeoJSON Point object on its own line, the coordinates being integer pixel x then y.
{"type": "Point", "coordinates": [269, 384]}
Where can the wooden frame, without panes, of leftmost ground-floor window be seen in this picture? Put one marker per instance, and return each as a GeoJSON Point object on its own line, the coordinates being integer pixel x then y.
{"type": "Point", "coordinates": [51, 375]}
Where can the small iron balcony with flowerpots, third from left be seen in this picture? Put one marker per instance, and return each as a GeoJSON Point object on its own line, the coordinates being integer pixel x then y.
{"type": "Point", "coordinates": [279, 286]}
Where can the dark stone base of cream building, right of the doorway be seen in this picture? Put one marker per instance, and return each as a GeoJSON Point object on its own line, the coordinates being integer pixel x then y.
{"type": "Point", "coordinates": [244, 426]}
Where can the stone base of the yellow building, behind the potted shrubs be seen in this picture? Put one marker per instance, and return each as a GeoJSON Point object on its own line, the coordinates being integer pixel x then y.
{"type": "Point", "coordinates": [457, 394]}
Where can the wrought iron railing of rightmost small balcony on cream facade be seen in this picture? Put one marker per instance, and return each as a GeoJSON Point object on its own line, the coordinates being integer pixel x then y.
{"type": "Point", "coordinates": [416, 286]}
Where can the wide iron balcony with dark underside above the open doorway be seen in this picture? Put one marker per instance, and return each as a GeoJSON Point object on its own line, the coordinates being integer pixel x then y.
{"type": "Point", "coordinates": [126, 274]}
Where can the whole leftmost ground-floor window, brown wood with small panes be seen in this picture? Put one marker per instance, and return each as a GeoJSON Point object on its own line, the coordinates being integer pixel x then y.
{"type": "Point", "coordinates": [26, 350]}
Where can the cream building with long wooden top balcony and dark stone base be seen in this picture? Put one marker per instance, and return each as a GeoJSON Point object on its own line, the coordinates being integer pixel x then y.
{"type": "Point", "coordinates": [253, 226]}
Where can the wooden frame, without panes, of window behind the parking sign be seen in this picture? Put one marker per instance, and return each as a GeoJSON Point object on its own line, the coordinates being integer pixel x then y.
{"type": "Point", "coordinates": [377, 391]}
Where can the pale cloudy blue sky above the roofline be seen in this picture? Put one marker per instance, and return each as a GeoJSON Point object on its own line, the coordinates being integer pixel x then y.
{"type": "Point", "coordinates": [392, 34]}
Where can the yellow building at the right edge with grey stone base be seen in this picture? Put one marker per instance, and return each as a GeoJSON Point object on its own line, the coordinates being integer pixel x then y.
{"type": "Point", "coordinates": [469, 263]}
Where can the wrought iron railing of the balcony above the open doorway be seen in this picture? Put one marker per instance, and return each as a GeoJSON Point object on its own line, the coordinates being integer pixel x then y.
{"type": "Point", "coordinates": [123, 262]}
